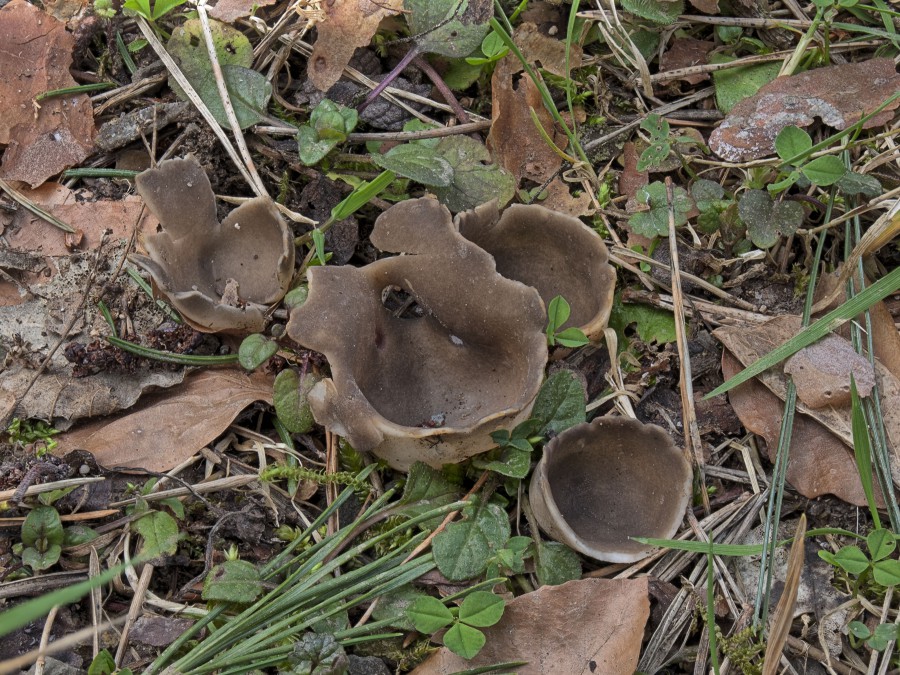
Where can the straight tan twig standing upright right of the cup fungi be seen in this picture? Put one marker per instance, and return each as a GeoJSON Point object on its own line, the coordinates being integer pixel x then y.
{"type": "Point", "coordinates": [692, 444]}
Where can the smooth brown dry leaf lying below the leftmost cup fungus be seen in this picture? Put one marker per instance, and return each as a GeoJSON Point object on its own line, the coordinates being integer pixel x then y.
{"type": "Point", "coordinates": [170, 427]}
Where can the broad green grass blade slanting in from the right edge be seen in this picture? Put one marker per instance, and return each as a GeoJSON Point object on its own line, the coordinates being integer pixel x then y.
{"type": "Point", "coordinates": [816, 331]}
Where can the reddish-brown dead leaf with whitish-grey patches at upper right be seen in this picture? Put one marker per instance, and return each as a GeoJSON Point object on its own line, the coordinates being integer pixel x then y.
{"type": "Point", "coordinates": [839, 95]}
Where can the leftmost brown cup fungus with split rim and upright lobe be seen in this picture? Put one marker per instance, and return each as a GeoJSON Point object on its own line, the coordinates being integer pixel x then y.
{"type": "Point", "coordinates": [219, 276]}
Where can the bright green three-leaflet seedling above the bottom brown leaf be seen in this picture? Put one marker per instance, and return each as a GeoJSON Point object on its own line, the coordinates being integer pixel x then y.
{"type": "Point", "coordinates": [480, 609]}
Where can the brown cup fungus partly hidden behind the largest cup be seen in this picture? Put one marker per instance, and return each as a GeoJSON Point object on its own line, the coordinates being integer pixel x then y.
{"type": "Point", "coordinates": [554, 252]}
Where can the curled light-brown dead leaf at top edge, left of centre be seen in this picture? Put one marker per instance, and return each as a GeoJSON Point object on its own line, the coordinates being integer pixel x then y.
{"type": "Point", "coordinates": [348, 24]}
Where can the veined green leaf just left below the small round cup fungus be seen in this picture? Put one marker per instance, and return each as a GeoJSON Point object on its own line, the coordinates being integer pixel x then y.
{"type": "Point", "coordinates": [463, 548]}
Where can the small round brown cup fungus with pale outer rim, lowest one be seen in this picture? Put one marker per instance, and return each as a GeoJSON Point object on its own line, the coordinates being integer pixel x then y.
{"type": "Point", "coordinates": [602, 482]}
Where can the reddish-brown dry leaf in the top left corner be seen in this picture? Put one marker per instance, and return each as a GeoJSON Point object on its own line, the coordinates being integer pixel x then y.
{"type": "Point", "coordinates": [36, 55]}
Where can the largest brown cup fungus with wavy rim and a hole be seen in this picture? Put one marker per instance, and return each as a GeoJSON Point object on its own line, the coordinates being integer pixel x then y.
{"type": "Point", "coordinates": [428, 382]}
